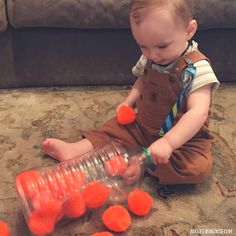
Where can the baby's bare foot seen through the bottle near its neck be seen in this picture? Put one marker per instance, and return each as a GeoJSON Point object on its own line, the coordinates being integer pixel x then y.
{"type": "Point", "coordinates": [133, 172]}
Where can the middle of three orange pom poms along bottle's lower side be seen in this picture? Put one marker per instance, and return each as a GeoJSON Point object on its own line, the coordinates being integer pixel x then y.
{"type": "Point", "coordinates": [74, 206]}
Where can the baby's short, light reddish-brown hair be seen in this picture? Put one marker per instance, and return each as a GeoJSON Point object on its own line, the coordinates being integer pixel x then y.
{"type": "Point", "coordinates": [181, 8]}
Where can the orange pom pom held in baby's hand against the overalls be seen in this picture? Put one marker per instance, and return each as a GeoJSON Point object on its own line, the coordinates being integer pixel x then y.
{"type": "Point", "coordinates": [126, 115]}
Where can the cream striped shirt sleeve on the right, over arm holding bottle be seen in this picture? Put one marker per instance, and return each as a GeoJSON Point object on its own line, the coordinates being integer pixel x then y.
{"type": "Point", "coordinates": [204, 76]}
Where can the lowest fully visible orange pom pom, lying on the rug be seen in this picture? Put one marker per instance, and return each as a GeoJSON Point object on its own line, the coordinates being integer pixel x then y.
{"type": "Point", "coordinates": [116, 218]}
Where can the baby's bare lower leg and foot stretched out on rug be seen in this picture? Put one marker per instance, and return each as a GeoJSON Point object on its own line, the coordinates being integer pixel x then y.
{"type": "Point", "coordinates": [63, 151]}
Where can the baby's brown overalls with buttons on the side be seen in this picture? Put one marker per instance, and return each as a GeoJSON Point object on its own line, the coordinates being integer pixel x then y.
{"type": "Point", "coordinates": [191, 163]}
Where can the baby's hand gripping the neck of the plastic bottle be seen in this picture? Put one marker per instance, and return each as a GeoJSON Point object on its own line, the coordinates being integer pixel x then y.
{"type": "Point", "coordinates": [160, 151]}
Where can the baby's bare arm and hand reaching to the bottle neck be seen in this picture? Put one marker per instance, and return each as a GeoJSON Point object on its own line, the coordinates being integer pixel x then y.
{"type": "Point", "coordinates": [198, 103]}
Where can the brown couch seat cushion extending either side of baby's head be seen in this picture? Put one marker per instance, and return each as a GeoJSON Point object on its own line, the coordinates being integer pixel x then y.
{"type": "Point", "coordinates": [106, 13]}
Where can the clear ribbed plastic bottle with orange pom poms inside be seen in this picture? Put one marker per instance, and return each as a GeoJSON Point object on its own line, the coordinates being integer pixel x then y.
{"type": "Point", "coordinates": [67, 189]}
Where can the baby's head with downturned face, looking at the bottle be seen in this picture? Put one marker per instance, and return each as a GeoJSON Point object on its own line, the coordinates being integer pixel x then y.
{"type": "Point", "coordinates": [162, 27]}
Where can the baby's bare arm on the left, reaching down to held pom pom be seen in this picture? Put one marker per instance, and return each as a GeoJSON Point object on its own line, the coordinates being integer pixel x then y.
{"type": "Point", "coordinates": [133, 94]}
